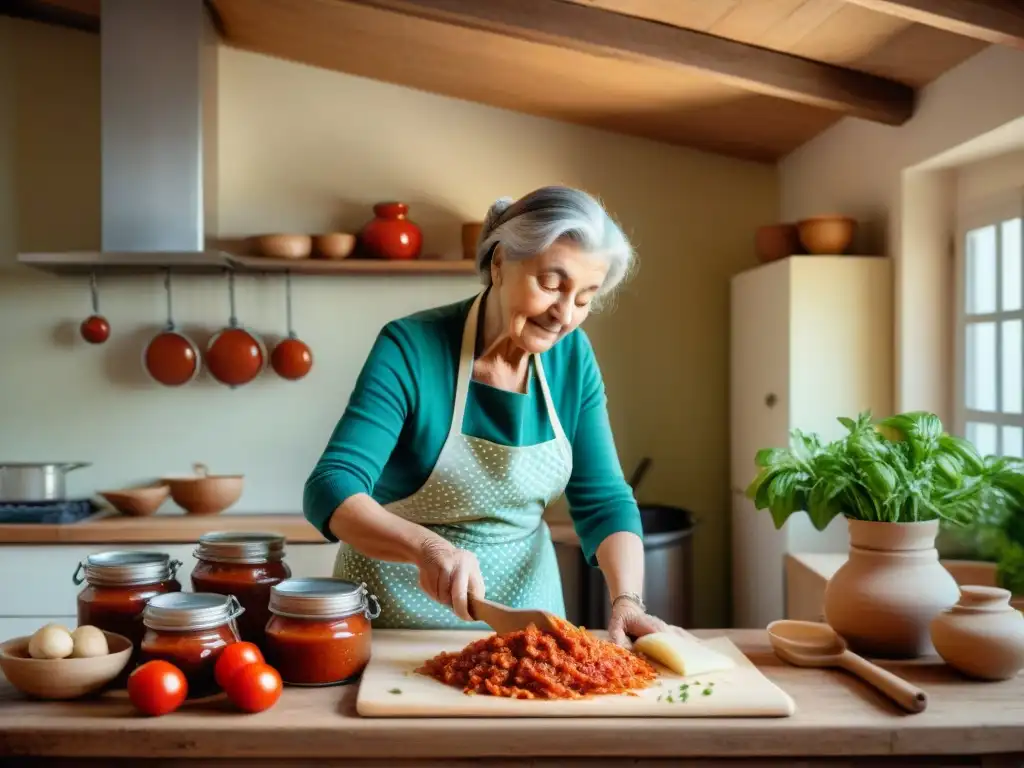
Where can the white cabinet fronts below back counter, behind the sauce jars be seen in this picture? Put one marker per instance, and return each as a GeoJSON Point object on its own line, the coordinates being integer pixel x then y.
{"type": "Point", "coordinates": [38, 584]}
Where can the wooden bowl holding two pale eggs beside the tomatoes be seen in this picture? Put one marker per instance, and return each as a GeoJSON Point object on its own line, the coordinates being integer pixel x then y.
{"type": "Point", "coordinates": [63, 678]}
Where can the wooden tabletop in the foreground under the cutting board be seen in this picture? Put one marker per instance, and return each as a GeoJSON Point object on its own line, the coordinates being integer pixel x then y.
{"type": "Point", "coordinates": [837, 715]}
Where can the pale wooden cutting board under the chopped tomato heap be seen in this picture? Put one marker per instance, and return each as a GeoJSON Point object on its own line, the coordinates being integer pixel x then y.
{"type": "Point", "coordinates": [391, 688]}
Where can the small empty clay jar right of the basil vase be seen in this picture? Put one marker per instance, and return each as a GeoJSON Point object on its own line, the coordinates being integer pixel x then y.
{"type": "Point", "coordinates": [983, 635]}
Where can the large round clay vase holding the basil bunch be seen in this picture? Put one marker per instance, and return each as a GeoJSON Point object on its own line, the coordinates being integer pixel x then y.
{"type": "Point", "coordinates": [884, 598]}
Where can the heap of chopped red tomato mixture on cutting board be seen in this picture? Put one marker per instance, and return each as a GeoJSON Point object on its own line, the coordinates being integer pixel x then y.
{"type": "Point", "coordinates": [570, 663]}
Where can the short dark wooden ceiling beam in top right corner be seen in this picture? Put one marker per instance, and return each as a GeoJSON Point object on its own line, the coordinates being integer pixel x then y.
{"type": "Point", "coordinates": [997, 22]}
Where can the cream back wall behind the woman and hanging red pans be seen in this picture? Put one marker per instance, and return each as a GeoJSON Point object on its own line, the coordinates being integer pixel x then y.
{"type": "Point", "coordinates": [303, 149]}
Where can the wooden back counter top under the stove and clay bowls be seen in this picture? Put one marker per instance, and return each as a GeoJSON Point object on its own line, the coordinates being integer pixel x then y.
{"type": "Point", "coordinates": [105, 528]}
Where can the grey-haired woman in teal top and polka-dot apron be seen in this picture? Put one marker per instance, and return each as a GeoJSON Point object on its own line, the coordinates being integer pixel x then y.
{"type": "Point", "coordinates": [468, 420]}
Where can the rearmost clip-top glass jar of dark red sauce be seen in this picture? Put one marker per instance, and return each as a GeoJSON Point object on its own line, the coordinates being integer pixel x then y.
{"type": "Point", "coordinates": [246, 566]}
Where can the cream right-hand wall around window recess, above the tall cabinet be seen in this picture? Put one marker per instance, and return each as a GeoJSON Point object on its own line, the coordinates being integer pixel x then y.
{"type": "Point", "coordinates": [859, 168]}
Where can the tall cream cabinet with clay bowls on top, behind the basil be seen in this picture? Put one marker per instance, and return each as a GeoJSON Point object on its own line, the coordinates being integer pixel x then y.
{"type": "Point", "coordinates": [812, 340]}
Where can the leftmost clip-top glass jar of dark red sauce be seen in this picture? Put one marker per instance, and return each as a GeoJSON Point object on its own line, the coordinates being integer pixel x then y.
{"type": "Point", "coordinates": [118, 587]}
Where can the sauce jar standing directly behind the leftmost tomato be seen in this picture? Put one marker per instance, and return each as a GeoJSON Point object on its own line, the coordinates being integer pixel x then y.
{"type": "Point", "coordinates": [191, 630]}
